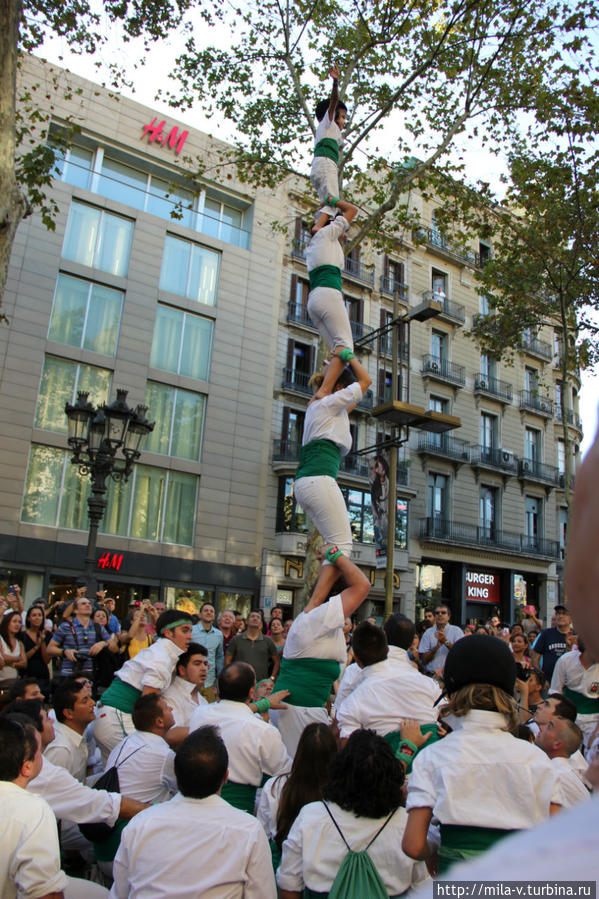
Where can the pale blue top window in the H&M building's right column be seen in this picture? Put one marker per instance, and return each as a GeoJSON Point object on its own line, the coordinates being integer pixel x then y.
{"type": "Point", "coordinates": [189, 270]}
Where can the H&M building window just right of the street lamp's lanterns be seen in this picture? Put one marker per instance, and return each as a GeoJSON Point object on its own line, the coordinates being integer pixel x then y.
{"type": "Point", "coordinates": [179, 416]}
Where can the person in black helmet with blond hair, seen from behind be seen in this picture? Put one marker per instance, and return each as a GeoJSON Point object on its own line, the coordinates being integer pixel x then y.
{"type": "Point", "coordinates": [510, 784]}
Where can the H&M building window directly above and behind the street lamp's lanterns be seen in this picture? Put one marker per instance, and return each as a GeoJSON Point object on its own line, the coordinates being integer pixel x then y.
{"type": "Point", "coordinates": [61, 379]}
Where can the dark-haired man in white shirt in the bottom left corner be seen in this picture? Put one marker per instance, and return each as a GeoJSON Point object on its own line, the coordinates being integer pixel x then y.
{"type": "Point", "coordinates": [30, 856]}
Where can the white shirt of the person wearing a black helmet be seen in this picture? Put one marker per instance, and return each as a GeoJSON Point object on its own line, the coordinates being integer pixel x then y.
{"type": "Point", "coordinates": [482, 776]}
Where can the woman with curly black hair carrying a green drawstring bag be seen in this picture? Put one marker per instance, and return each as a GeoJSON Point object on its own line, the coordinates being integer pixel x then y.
{"type": "Point", "coordinates": [361, 810]}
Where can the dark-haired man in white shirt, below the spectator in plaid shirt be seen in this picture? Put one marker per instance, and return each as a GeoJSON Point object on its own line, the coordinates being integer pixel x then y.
{"type": "Point", "coordinates": [74, 708]}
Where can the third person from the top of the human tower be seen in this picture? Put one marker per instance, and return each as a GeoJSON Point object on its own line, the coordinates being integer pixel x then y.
{"type": "Point", "coordinates": [326, 439]}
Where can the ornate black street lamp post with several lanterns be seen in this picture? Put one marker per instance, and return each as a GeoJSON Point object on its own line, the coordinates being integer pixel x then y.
{"type": "Point", "coordinates": [95, 437]}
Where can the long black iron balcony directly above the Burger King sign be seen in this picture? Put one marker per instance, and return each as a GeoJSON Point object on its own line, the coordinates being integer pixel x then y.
{"type": "Point", "coordinates": [457, 532]}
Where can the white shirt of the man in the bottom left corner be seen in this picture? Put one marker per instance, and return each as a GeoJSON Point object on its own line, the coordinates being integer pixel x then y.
{"type": "Point", "coordinates": [29, 854]}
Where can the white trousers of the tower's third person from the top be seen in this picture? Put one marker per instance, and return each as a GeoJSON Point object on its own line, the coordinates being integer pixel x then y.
{"type": "Point", "coordinates": [322, 500]}
